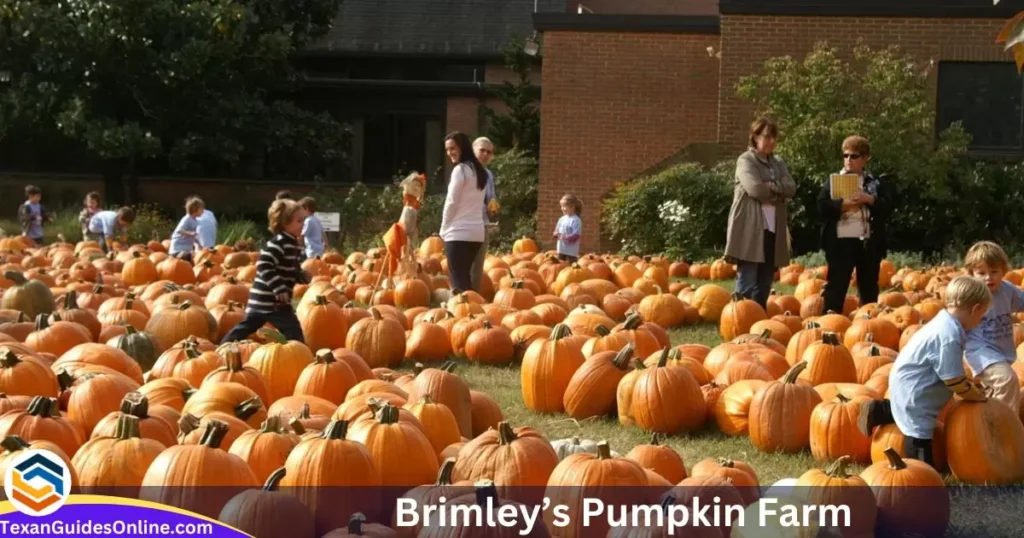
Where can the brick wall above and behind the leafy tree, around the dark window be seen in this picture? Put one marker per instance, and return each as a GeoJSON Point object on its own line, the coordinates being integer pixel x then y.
{"type": "Point", "coordinates": [749, 42]}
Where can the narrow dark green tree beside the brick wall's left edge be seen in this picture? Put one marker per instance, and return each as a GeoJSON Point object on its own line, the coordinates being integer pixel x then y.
{"type": "Point", "coordinates": [521, 127]}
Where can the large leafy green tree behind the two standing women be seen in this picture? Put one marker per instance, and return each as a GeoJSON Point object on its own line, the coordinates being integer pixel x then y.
{"type": "Point", "coordinates": [882, 95]}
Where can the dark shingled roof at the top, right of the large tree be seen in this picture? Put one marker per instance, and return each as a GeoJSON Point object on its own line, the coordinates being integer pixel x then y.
{"type": "Point", "coordinates": [477, 28]}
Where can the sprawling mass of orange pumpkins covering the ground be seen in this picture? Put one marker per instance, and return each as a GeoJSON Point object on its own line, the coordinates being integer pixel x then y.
{"type": "Point", "coordinates": [112, 359]}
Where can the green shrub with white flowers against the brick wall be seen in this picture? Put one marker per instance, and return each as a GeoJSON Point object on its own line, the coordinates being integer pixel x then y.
{"type": "Point", "coordinates": [682, 213]}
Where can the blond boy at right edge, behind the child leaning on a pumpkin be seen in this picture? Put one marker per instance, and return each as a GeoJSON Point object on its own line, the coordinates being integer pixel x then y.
{"type": "Point", "coordinates": [991, 347]}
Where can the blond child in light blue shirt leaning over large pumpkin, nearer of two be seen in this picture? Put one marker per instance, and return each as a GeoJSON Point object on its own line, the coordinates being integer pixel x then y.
{"type": "Point", "coordinates": [929, 370]}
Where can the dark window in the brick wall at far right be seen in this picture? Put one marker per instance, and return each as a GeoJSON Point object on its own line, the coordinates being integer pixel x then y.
{"type": "Point", "coordinates": [987, 98]}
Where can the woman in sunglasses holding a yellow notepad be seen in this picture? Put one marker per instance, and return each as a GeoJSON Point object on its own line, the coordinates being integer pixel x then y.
{"type": "Point", "coordinates": [855, 232]}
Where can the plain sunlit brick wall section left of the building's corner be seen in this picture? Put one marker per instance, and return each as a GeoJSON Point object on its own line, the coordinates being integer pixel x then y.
{"type": "Point", "coordinates": [616, 104]}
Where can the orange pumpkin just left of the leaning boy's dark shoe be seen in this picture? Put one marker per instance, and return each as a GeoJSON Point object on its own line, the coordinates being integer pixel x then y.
{"type": "Point", "coordinates": [835, 432]}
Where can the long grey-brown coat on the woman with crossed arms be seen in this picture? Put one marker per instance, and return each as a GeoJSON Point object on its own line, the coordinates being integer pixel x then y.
{"type": "Point", "coordinates": [759, 181]}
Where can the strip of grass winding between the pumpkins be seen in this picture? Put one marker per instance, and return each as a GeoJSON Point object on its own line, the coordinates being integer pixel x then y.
{"type": "Point", "coordinates": [973, 507]}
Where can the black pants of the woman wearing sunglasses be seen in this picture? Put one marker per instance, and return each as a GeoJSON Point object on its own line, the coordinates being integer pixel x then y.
{"type": "Point", "coordinates": [842, 259]}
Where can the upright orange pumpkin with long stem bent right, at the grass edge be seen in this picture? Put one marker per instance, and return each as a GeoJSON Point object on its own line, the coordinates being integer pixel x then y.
{"type": "Point", "coordinates": [781, 413]}
